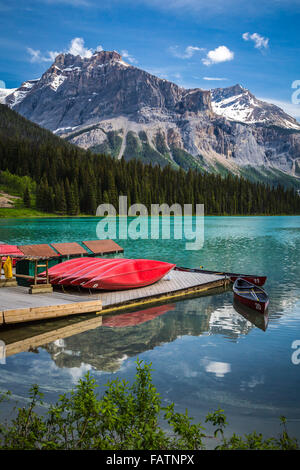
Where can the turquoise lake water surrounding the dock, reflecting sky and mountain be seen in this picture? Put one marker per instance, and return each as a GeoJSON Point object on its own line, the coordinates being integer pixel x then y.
{"type": "Point", "coordinates": [205, 354]}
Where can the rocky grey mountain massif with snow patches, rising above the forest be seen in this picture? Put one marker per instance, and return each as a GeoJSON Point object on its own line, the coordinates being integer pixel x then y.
{"type": "Point", "coordinates": [104, 104]}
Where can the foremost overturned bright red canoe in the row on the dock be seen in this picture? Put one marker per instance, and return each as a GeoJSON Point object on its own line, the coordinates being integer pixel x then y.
{"type": "Point", "coordinates": [131, 274]}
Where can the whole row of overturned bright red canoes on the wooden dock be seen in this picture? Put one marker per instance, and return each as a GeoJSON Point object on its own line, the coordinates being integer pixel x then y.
{"type": "Point", "coordinates": [108, 274]}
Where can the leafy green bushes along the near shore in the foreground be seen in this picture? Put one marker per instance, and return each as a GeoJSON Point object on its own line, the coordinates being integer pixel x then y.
{"type": "Point", "coordinates": [125, 418]}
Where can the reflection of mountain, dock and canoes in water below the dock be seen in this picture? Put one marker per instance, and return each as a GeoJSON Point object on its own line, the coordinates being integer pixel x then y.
{"type": "Point", "coordinates": [104, 342]}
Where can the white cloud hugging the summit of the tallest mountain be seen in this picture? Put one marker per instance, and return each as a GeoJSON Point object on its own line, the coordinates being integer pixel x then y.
{"type": "Point", "coordinates": [76, 47]}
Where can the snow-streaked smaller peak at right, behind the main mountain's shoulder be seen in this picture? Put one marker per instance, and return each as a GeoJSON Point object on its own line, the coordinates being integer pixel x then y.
{"type": "Point", "coordinates": [239, 104]}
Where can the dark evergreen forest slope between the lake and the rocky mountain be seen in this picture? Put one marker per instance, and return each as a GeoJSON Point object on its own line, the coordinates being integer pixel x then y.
{"type": "Point", "coordinates": [70, 180]}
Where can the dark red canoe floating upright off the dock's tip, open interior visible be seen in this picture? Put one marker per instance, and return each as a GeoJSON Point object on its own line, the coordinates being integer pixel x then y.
{"type": "Point", "coordinates": [249, 294]}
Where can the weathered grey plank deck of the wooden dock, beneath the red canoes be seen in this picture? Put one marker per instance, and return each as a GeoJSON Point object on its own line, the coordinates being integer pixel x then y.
{"type": "Point", "coordinates": [17, 306]}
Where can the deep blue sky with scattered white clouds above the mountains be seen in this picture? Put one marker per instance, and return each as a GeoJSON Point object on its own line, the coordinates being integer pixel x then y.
{"type": "Point", "coordinates": [193, 43]}
